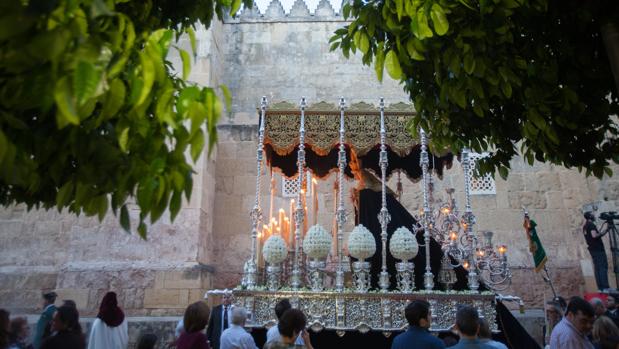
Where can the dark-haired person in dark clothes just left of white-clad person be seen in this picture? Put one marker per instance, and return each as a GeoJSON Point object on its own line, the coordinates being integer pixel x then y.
{"type": "Point", "coordinates": [68, 335]}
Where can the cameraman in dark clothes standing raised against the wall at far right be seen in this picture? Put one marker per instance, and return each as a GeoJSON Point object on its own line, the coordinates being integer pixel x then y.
{"type": "Point", "coordinates": [596, 249]}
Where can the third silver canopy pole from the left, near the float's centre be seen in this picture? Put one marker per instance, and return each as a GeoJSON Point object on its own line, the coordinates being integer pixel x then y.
{"type": "Point", "coordinates": [341, 212]}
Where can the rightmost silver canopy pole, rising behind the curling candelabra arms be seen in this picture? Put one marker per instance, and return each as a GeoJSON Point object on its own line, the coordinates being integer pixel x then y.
{"type": "Point", "coordinates": [469, 219]}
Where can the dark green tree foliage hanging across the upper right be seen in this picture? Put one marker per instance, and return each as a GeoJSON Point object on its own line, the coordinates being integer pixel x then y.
{"type": "Point", "coordinates": [498, 74]}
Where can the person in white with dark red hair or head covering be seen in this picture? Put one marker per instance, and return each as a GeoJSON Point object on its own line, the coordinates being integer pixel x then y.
{"type": "Point", "coordinates": [109, 330]}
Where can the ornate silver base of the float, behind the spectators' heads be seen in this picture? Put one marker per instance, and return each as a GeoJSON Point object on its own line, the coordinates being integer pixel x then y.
{"type": "Point", "coordinates": [355, 311]}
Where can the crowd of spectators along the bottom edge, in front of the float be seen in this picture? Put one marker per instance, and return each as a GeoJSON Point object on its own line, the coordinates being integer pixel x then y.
{"type": "Point", "coordinates": [575, 324]}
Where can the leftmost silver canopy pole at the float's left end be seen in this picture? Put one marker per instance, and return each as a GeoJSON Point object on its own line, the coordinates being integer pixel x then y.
{"type": "Point", "coordinates": [250, 270]}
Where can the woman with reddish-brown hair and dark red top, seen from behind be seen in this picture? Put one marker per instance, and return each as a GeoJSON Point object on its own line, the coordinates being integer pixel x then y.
{"type": "Point", "coordinates": [195, 320]}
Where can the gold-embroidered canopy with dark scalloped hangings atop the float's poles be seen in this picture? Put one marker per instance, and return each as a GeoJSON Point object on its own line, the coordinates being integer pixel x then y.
{"type": "Point", "coordinates": [362, 140]}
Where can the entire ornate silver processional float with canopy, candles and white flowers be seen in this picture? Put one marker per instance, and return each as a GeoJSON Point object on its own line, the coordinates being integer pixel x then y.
{"type": "Point", "coordinates": [346, 301]}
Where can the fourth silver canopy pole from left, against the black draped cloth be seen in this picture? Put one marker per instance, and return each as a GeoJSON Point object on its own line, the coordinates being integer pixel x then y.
{"type": "Point", "coordinates": [383, 217]}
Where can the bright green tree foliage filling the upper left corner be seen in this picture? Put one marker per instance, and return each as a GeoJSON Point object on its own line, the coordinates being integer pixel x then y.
{"type": "Point", "coordinates": [92, 114]}
